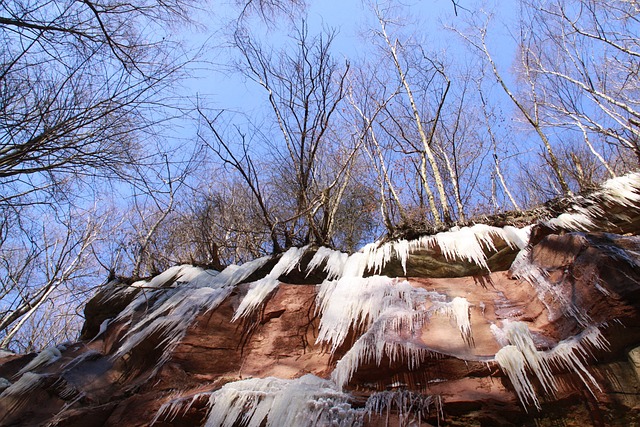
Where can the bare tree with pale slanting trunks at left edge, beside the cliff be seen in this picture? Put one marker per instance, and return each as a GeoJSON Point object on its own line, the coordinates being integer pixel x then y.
{"type": "Point", "coordinates": [40, 261]}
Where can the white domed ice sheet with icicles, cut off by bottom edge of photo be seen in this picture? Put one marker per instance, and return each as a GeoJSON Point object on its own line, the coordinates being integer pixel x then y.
{"type": "Point", "coordinates": [273, 402]}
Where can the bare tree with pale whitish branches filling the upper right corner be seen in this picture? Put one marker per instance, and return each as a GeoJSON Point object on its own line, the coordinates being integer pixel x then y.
{"type": "Point", "coordinates": [595, 94]}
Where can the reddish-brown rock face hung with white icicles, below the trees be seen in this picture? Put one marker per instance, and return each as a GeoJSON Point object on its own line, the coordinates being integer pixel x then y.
{"type": "Point", "coordinates": [477, 326]}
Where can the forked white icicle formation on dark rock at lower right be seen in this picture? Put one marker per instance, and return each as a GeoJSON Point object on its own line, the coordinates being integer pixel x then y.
{"type": "Point", "coordinates": [520, 356]}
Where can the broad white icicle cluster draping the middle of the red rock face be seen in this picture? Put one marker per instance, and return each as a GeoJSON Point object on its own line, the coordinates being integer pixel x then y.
{"type": "Point", "coordinates": [392, 314]}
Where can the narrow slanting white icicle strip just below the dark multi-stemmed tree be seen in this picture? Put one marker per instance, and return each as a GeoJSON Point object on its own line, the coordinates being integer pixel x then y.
{"type": "Point", "coordinates": [260, 289]}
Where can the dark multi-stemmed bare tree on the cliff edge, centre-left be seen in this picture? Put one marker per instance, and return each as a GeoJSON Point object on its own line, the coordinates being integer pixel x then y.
{"type": "Point", "coordinates": [304, 88]}
